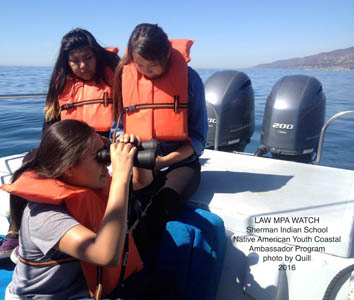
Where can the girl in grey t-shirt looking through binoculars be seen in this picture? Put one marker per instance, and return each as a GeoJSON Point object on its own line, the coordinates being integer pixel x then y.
{"type": "Point", "coordinates": [76, 217]}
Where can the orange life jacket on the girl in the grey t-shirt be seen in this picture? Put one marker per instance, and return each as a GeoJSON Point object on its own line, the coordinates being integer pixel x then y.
{"type": "Point", "coordinates": [87, 206]}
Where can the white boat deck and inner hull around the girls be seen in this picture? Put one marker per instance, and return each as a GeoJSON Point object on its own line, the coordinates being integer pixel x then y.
{"type": "Point", "coordinates": [307, 208]}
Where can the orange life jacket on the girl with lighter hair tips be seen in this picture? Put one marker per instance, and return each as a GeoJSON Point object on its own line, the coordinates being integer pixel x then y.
{"type": "Point", "coordinates": [88, 101]}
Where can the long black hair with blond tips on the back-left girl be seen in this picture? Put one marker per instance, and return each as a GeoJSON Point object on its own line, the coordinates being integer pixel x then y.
{"type": "Point", "coordinates": [75, 39]}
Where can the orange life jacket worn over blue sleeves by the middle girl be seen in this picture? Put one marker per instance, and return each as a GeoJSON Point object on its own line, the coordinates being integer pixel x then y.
{"type": "Point", "coordinates": [157, 108]}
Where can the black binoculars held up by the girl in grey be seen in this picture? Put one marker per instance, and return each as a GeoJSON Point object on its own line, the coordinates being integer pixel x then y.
{"type": "Point", "coordinates": [144, 157]}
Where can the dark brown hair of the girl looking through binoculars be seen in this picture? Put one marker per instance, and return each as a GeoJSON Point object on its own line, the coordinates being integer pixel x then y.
{"type": "Point", "coordinates": [63, 145]}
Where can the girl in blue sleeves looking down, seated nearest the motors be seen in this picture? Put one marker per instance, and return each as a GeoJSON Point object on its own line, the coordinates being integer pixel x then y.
{"type": "Point", "coordinates": [157, 96]}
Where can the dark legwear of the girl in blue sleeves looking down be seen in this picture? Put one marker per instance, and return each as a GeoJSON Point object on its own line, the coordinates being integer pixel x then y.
{"type": "Point", "coordinates": [169, 192]}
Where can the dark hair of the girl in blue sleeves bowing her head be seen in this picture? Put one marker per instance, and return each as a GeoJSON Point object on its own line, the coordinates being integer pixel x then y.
{"type": "Point", "coordinates": [150, 42]}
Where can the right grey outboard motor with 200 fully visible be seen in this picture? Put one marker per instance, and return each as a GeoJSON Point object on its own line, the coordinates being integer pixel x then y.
{"type": "Point", "coordinates": [293, 118]}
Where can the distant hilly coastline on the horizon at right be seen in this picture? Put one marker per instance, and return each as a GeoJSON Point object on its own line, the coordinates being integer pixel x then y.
{"type": "Point", "coordinates": [341, 59]}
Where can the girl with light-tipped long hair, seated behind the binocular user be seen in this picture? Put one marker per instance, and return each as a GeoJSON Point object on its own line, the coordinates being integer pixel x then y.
{"type": "Point", "coordinates": [80, 88]}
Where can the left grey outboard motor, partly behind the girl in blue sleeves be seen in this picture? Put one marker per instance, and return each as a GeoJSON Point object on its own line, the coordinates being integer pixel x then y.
{"type": "Point", "coordinates": [230, 105]}
